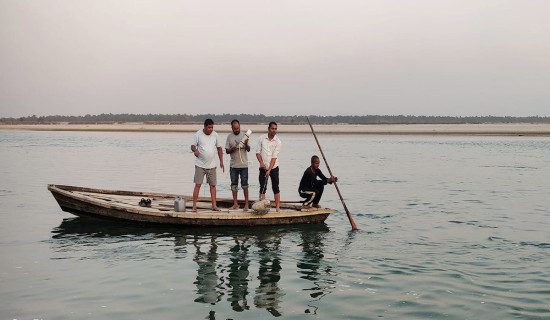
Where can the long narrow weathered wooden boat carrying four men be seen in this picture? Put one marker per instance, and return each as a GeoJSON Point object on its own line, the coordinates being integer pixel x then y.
{"type": "Point", "coordinates": [125, 205]}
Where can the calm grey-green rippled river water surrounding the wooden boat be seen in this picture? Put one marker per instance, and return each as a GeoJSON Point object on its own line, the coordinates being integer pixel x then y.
{"type": "Point", "coordinates": [453, 227]}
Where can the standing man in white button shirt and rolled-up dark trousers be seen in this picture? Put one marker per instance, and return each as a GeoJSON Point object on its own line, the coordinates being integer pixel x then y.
{"type": "Point", "coordinates": [267, 153]}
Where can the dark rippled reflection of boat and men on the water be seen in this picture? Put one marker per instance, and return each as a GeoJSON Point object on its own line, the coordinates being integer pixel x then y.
{"type": "Point", "coordinates": [241, 266]}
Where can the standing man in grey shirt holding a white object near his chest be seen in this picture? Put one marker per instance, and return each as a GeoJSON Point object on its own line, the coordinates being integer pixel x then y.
{"type": "Point", "coordinates": [236, 145]}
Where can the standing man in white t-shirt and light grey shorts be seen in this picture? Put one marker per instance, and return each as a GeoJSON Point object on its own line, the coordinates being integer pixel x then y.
{"type": "Point", "coordinates": [205, 145]}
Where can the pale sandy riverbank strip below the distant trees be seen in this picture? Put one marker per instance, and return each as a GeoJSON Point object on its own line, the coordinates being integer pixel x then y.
{"type": "Point", "coordinates": [456, 129]}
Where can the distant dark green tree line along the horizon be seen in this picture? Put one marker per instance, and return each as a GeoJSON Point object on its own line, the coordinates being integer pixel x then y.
{"type": "Point", "coordinates": [260, 118]}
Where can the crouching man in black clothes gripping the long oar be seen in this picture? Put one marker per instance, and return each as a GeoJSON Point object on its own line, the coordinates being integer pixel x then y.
{"type": "Point", "coordinates": [313, 183]}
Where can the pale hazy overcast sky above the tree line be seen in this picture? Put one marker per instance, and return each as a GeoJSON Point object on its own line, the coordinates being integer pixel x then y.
{"type": "Point", "coordinates": [284, 57]}
